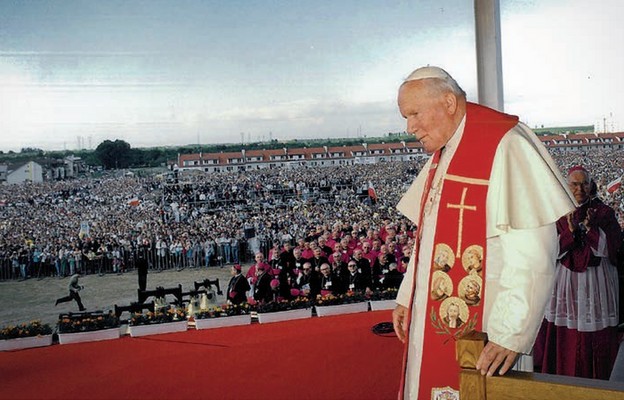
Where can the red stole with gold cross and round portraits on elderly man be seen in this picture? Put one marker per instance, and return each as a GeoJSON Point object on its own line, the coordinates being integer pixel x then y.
{"type": "Point", "coordinates": [456, 285]}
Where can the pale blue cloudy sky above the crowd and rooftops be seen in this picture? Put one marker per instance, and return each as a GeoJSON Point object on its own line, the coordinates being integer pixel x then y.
{"type": "Point", "coordinates": [169, 73]}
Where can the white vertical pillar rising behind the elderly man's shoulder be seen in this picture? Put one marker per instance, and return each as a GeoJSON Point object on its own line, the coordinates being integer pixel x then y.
{"type": "Point", "coordinates": [489, 59]}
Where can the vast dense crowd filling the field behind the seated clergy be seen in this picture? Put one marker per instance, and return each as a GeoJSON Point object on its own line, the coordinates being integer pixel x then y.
{"type": "Point", "coordinates": [97, 226]}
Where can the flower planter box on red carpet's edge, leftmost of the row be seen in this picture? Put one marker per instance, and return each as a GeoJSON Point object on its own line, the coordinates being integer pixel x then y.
{"type": "Point", "coordinates": [26, 335]}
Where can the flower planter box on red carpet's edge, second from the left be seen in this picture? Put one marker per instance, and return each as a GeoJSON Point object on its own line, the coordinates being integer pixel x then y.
{"type": "Point", "coordinates": [87, 327]}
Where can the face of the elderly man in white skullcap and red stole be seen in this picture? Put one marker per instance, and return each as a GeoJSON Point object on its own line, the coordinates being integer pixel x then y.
{"type": "Point", "coordinates": [429, 115]}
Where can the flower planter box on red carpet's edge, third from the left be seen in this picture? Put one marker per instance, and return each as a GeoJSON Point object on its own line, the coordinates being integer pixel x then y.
{"type": "Point", "coordinates": [162, 321]}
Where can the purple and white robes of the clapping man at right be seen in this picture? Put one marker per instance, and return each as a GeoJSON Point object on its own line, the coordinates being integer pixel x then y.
{"type": "Point", "coordinates": [578, 336]}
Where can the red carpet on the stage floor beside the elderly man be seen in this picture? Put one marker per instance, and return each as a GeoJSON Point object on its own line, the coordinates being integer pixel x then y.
{"type": "Point", "coordinates": [318, 358]}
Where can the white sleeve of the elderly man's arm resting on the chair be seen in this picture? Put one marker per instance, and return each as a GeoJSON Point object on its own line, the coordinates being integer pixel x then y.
{"type": "Point", "coordinates": [516, 295]}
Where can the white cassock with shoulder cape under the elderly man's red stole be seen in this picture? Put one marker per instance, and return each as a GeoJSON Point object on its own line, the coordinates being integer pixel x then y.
{"type": "Point", "coordinates": [526, 196]}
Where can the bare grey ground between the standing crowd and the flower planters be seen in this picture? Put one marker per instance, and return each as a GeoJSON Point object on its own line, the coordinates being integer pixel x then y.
{"type": "Point", "coordinates": [23, 301]}
